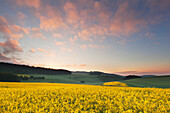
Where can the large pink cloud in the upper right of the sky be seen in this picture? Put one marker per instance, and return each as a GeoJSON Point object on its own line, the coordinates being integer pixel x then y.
{"type": "Point", "coordinates": [124, 22]}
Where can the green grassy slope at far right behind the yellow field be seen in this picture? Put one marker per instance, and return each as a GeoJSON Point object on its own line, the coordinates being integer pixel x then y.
{"type": "Point", "coordinates": [156, 81]}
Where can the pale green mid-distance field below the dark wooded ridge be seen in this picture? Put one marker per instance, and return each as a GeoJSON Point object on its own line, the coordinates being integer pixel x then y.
{"type": "Point", "coordinates": [74, 78]}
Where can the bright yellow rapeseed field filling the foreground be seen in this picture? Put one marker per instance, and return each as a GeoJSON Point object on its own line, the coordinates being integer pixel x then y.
{"type": "Point", "coordinates": [72, 98]}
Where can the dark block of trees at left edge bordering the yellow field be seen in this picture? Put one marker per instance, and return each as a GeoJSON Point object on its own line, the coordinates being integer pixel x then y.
{"type": "Point", "coordinates": [7, 77]}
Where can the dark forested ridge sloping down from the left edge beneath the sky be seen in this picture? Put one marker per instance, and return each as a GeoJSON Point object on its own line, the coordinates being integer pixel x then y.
{"type": "Point", "coordinates": [25, 69]}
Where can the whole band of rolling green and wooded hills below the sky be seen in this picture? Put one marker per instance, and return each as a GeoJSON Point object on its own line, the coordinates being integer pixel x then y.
{"type": "Point", "coordinates": [39, 74]}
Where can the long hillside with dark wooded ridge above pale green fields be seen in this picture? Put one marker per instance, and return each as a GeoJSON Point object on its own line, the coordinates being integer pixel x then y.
{"type": "Point", "coordinates": [38, 74]}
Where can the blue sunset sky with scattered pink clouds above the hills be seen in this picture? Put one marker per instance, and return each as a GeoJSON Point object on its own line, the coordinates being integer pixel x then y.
{"type": "Point", "coordinates": [113, 36]}
